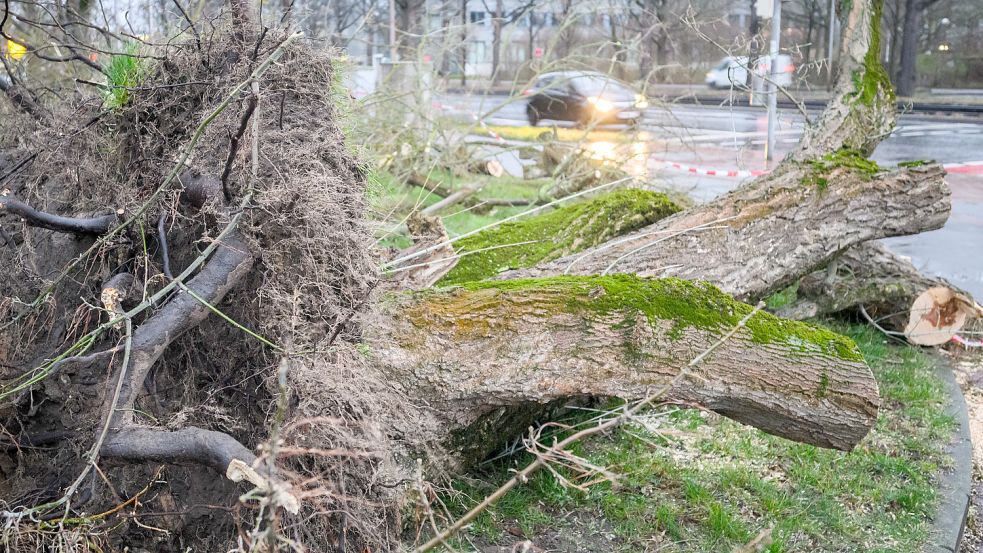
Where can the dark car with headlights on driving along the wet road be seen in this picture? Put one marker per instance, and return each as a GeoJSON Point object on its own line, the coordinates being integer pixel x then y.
{"type": "Point", "coordinates": [583, 98]}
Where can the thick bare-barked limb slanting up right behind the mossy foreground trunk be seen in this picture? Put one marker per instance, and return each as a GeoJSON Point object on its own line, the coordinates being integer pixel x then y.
{"type": "Point", "coordinates": [765, 235]}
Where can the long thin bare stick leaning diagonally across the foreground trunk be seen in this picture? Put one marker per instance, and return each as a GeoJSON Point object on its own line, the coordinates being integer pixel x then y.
{"type": "Point", "coordinates": [541, 460]}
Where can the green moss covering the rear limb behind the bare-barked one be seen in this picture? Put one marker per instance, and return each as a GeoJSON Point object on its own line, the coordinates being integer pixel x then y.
{"type": "Point", "coordinates": [566, 230]}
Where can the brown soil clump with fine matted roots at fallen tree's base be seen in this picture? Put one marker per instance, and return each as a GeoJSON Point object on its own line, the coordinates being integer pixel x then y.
{"type": "Point", "coordinates": [282, 356]}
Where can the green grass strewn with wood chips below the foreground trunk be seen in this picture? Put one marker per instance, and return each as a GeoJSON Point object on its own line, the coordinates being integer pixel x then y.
{"type": "Point", "coordinates": [704, 483]}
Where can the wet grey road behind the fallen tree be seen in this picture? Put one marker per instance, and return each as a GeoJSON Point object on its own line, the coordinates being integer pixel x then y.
{"type": "Point", "coordinates": [727, 138]}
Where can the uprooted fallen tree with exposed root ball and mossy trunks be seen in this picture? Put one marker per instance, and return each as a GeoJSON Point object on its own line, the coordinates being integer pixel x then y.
{"type": "Point", "coordinates": [274, 351]}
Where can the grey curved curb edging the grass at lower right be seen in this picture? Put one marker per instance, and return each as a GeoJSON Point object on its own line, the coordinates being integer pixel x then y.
{"type": "Point", "coordinates": [955, 484]}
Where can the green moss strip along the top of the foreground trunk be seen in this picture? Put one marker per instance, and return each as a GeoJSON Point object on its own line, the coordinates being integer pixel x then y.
{"type": "Point", "coordinates": [682, 303]}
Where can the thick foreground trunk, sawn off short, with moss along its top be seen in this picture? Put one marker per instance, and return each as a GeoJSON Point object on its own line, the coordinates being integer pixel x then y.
{"type": "Point", "coordinates": [484, 353]}
